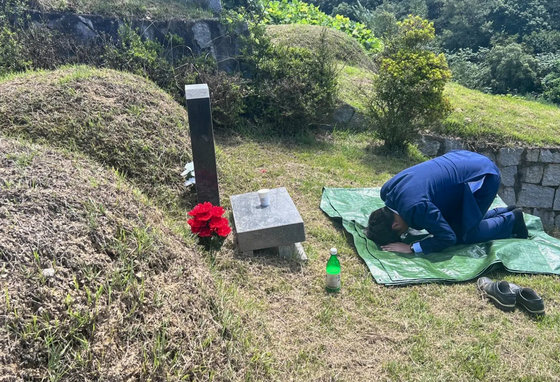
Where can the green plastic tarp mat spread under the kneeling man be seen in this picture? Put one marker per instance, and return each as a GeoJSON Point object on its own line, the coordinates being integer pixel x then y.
{"type": "Point", "coordinates": [539, 254]}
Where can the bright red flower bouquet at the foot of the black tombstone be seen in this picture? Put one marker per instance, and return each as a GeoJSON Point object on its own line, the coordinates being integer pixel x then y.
{"type": "Point", "coordinates": [209, 225]}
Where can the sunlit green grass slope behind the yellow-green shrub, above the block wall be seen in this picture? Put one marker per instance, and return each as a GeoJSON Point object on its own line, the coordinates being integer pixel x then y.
{"type": "Point", "coordinates": [476, 116]}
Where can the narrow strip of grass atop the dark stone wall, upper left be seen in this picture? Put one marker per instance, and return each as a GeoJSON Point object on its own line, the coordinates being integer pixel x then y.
{"type": "Point", "coordinates": [156, 9]}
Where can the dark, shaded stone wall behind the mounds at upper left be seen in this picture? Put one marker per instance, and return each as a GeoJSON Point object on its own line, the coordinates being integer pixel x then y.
{"type": "Point", "coordinates": [202, 36]}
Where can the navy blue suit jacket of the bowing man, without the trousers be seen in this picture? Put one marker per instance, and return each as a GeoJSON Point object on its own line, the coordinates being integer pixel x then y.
{"type": "Point", "coordinates": [435, 196]}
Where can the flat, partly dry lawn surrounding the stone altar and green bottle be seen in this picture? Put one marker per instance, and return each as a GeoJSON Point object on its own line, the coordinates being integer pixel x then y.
{"type": "Point", "coordinates": [367, 331]}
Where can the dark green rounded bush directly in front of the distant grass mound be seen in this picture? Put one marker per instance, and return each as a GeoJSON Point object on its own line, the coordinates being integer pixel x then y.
{"type": "Point", "coordinates": [292, 88]}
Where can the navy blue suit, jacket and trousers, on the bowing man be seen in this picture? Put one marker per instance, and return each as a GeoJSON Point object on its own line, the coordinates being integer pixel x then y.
{"type": "Point", "coordinates": [436, 196]}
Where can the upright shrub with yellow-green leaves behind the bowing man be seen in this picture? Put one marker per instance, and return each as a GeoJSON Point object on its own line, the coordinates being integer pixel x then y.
{"type": "Point", "coordinates": [408, 90]}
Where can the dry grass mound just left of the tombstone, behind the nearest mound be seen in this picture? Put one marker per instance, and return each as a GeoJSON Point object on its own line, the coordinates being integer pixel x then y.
{"type": "Point", "coordinates": [118, 119]}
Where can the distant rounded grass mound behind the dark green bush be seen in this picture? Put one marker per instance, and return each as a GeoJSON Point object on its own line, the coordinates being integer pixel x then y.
{"type": "Point", "coordinates": [344, 48]}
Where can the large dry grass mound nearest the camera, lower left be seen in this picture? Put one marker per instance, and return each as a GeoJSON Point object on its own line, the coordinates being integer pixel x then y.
{"type": "Point", "coordinates": [126, 300]}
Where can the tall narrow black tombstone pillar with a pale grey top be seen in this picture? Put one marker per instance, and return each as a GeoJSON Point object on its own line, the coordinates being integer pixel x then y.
{"type": "Point", "coordinates": [202, 141]}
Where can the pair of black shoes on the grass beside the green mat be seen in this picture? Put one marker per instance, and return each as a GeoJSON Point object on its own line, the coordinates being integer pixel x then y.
{"type": "Point", "coordinates": [506, 295]}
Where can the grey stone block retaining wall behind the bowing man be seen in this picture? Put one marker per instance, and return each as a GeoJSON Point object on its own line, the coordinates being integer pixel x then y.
{"type": "Point", "coordinates": [530, 176]}
